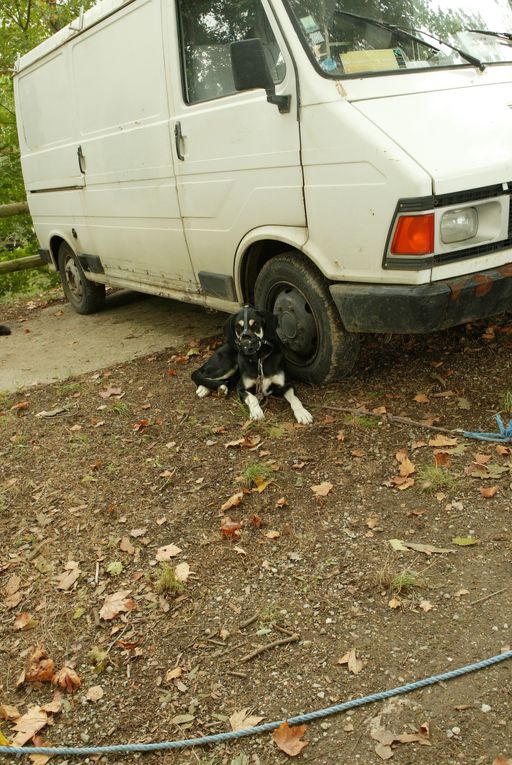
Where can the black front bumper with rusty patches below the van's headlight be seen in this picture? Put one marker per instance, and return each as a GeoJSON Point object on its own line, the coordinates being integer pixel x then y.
{"type": "Point", "coordinates": [402, 309]}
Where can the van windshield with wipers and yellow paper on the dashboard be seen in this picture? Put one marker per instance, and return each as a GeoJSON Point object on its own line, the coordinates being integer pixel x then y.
{"type": "Point", "coordinates": [357, 37]}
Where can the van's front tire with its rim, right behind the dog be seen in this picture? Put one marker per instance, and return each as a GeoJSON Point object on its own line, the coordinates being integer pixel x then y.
{"type": "Point", "coordinates": [317, 347]}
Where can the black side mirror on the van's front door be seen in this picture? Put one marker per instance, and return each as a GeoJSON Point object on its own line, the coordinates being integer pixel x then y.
{"type": "Point", "coordinates": [251, 70]}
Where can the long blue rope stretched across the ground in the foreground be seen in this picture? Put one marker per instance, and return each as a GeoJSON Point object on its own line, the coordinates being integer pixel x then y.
{"type": "Point", "coordinates": [218, 737]}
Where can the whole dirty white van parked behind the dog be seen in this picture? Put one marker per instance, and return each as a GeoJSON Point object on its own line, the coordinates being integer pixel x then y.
{"type": "Point", "coordinates": [346, 164]}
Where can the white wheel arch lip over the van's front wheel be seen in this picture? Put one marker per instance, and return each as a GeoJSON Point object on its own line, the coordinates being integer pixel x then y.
{"type": "Point", "coordinates": [293, 237]}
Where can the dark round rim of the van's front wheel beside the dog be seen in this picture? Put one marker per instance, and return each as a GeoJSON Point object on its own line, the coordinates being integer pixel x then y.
{"type": "Point", "coordinates": [298, 329]}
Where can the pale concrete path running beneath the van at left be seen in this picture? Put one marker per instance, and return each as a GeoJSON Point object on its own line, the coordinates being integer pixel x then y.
{"type": "Point", "coordinates": [56, 343]}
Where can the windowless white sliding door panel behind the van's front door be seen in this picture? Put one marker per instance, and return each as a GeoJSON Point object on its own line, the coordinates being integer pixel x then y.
{"type": "Point", "coordinates": [130, 198]}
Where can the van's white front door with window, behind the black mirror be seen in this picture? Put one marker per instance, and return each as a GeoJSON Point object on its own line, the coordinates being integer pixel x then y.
{"type": "Point", "coordinates": [237, 157]}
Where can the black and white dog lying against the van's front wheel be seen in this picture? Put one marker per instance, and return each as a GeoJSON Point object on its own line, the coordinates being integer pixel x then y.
{"type": "Point", "coordinates": [252, 358]}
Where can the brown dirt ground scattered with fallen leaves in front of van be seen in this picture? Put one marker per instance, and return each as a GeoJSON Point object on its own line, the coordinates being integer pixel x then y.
{"type": "Point", "coordinates": [113, 484]}
